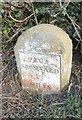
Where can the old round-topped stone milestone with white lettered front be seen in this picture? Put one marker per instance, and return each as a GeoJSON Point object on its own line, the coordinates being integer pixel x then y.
{"type": "Point", "coordinates": [44, 57]}
